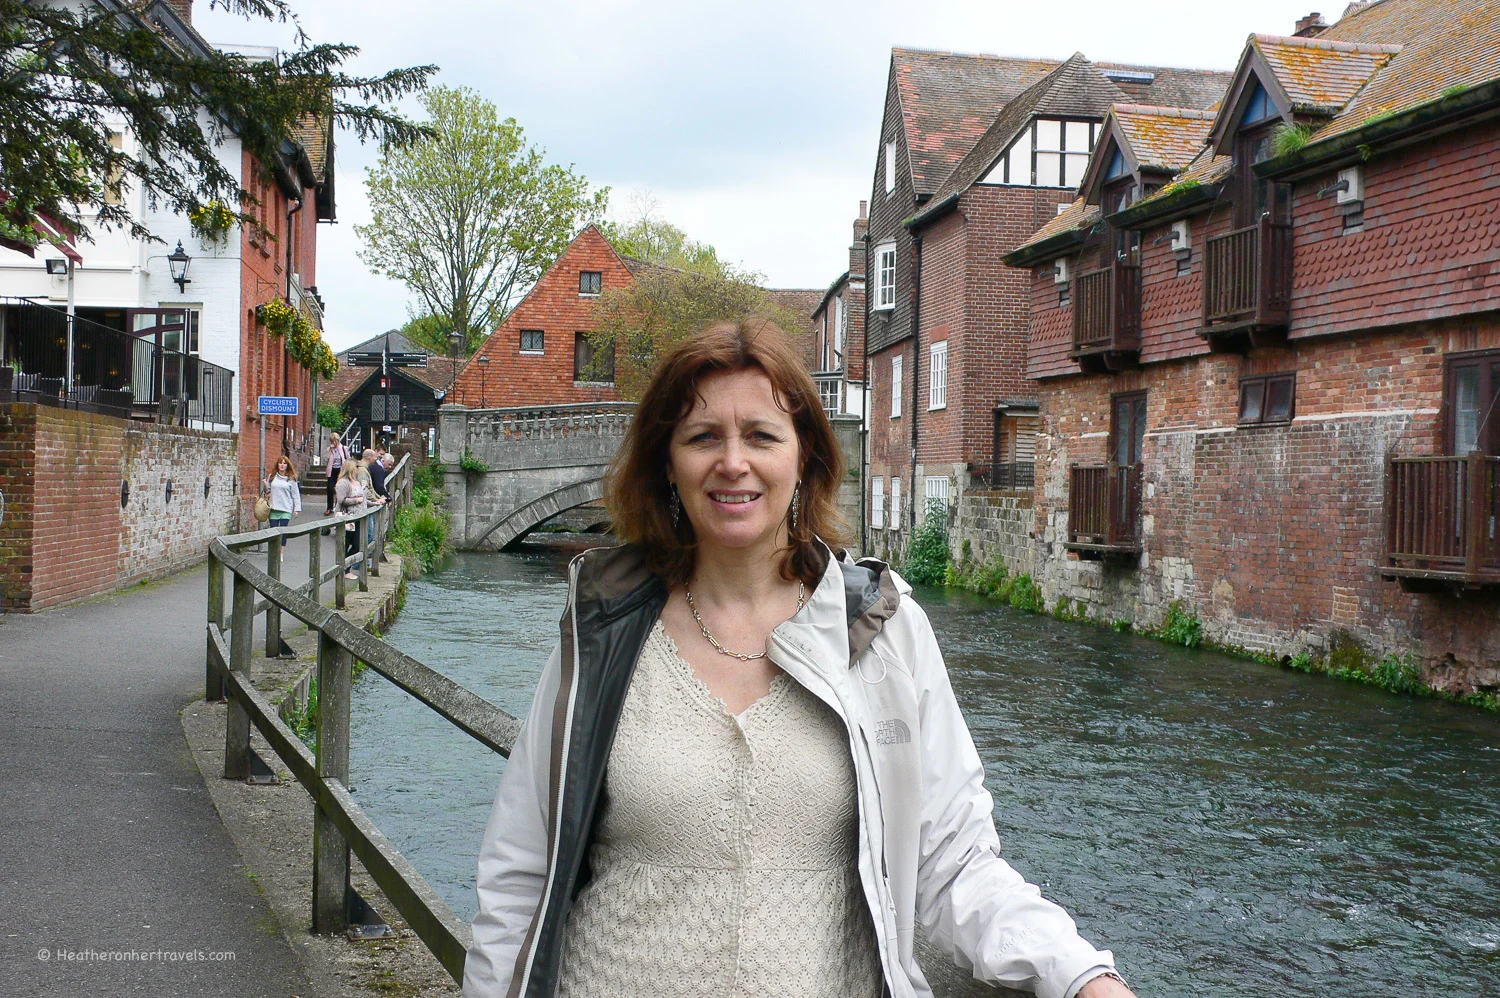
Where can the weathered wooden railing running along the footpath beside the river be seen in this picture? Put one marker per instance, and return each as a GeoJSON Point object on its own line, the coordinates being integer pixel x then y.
{"type": "Point", "coordinates": [340, 825]}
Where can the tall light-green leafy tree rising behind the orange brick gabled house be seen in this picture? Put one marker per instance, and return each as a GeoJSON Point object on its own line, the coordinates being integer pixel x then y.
{"type": "Point", "coordinates": [472, 217]}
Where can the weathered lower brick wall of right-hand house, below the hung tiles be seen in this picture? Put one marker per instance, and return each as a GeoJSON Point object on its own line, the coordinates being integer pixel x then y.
{"type": "Point", "coordinates": [1273, 535]}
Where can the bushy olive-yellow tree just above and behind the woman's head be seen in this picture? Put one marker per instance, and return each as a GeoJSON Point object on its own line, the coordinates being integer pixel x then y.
{"type": "Point", "coordinates": [662, 307]}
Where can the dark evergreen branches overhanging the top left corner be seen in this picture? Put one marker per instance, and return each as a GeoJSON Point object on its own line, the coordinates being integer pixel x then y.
{"type": "Point", "coordinates": [74, 71]}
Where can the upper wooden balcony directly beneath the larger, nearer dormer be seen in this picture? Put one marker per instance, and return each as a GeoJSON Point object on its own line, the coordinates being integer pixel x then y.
{"type": "Point", "coordinates": [1247, 286]}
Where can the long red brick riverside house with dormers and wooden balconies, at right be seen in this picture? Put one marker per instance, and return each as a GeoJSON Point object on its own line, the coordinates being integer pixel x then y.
{"type": "Point", "coordinates": [1268, 386]}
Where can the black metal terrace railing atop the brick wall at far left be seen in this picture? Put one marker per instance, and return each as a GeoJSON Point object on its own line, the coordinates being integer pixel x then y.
{"type": "Point", "coordinates": [115, 373]}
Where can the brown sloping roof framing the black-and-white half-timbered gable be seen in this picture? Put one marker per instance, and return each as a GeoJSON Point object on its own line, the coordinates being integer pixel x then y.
{"type": "Point", "coordinates": [1075, 89]}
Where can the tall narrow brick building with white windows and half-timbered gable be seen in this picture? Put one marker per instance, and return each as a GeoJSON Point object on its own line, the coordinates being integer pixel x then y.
{"type": "Point", "coordinates": [977, 152]}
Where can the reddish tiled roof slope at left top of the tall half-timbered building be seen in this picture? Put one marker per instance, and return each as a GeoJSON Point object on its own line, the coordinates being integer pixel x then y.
{"type": "Point", "coordinates": [950, 100]}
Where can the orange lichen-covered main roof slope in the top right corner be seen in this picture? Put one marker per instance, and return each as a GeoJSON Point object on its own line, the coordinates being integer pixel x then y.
{"type": "Point", "coordinates": [1444, 44]}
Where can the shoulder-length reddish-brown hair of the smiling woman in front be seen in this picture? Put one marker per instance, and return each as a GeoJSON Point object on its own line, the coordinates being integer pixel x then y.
{"type": "Point", "coordinates": [638, 493]}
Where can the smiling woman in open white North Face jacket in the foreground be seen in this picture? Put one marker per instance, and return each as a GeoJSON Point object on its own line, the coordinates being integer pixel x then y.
{"type": "Point", "coordinates": [745, 772]}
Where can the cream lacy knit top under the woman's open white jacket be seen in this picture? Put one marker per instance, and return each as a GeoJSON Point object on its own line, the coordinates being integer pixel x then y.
{"type": "Point", "coordinates": [727, 853]}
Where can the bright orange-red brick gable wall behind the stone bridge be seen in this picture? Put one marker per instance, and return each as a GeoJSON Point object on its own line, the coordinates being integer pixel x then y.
{"type": "Point", "coordinates": [557, 308]}
